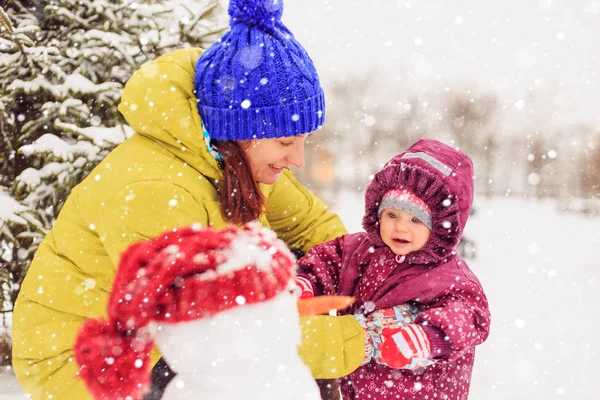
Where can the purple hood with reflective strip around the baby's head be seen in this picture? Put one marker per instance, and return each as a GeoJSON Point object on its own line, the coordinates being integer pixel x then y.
{"type": "Point", "coordinates": [441, 176]}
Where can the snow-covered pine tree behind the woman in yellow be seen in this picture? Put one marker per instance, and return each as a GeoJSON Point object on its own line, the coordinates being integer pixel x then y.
{"type": "Point", "coordinates": [62, 70]}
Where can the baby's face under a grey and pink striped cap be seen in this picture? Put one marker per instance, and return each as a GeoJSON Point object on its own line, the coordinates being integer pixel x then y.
{"type": "Point", "coordinates": [402, 232]}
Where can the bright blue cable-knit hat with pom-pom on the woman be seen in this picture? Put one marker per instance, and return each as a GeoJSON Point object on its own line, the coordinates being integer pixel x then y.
{"type": "Point", "coordinates": [257, 81]}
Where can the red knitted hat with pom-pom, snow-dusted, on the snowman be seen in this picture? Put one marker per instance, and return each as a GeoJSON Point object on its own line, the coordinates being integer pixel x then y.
{"type": "Point", "coordinates": [182, 275]}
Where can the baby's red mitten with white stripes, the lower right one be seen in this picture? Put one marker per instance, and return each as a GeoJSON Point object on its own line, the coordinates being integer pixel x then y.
{"type": "Point", "coordinates": [406, 348]}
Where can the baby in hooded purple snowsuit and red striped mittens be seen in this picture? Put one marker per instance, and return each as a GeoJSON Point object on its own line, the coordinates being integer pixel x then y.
{"type": "Point", "coordinates": [422, 309]}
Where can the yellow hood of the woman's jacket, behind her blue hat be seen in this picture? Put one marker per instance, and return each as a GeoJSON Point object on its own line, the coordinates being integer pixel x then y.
{"type": "Point", "coordinates": [158, 102]}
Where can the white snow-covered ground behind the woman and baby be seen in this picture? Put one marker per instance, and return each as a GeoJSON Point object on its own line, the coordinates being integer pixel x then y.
{"type": "Point", "coordinates": [540, 271]}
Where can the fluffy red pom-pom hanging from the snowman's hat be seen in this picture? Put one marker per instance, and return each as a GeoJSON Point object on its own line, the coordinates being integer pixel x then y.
{"type": "Point", "coordinates": [113, 364]}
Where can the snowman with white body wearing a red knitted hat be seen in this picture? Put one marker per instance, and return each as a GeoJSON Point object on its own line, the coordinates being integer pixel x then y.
{"type": "Point", "coordinates": [219, 306]}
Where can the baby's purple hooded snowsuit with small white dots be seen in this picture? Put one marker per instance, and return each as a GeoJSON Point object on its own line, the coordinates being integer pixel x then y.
{"type": "Point", "coordinates": [435, 278]}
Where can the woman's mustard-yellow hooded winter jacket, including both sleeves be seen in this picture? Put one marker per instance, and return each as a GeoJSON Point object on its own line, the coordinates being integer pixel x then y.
{"type": "Point", "coordinates": [161, 178]}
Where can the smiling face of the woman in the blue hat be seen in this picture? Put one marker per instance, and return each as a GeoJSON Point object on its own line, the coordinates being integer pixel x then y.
{"type": "Point", "coordinates": [269, 157]}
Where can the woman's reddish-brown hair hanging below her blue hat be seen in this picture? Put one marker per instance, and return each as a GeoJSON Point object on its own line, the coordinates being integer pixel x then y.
{"type": "Point", "coordinates": [239, 194]}
